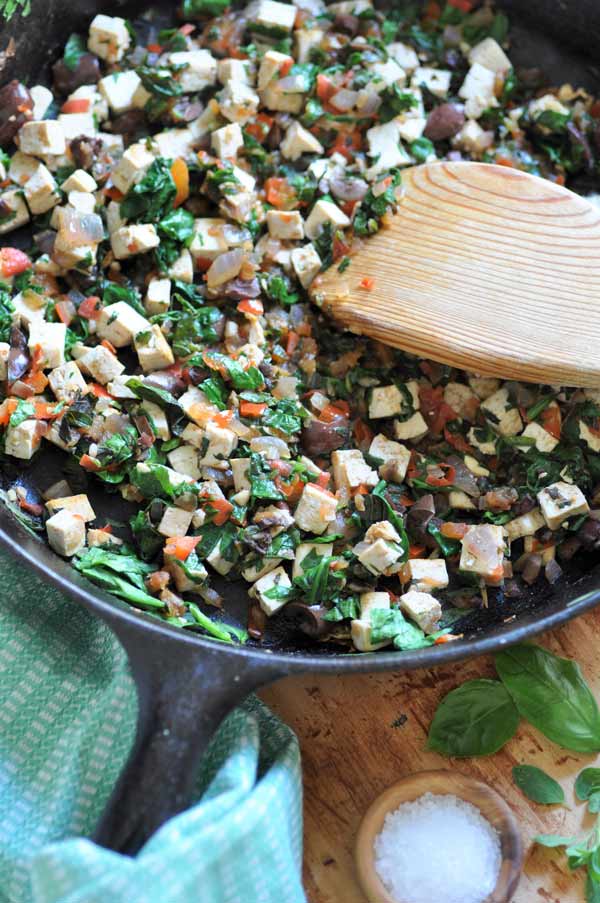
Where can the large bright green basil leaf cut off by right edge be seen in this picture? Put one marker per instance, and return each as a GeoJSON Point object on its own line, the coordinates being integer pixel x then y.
{"type": "Point", "coordinates": [551, 694]}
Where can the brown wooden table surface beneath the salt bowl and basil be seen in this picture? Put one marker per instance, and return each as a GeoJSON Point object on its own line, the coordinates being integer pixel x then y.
{"type": "Point", "coordinates": [360, 733]}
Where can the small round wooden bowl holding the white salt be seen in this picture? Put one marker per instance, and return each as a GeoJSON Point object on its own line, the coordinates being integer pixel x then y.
{"type": "Point", "coordinates": [489, 803]}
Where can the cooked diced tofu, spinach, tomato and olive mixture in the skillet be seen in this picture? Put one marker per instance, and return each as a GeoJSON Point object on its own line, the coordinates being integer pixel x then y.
{"type": "Point", "coordinates": [185, 185]}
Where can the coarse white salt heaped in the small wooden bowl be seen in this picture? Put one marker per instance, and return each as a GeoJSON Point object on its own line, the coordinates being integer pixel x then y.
{"type": "Point", "coordinates": [438, 849]}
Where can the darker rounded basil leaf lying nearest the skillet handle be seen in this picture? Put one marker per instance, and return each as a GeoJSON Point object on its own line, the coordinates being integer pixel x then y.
{"type": "Point", "coordinates": [476, 719]}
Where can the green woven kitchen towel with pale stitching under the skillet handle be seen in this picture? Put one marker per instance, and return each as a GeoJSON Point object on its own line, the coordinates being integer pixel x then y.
{"type": "Point", "coordinates": [67, 721]}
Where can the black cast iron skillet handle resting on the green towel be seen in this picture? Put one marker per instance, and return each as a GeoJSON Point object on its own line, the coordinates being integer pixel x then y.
{"type": "Point", "coordinates": [184, 692]}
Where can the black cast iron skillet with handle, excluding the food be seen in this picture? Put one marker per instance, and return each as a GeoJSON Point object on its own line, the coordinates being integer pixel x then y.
{"type": "Point", "coordinates": [187, 684]}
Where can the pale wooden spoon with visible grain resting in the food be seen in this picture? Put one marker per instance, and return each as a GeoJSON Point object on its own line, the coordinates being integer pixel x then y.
{"type": "Point", "coordinates": [485, 268]}
